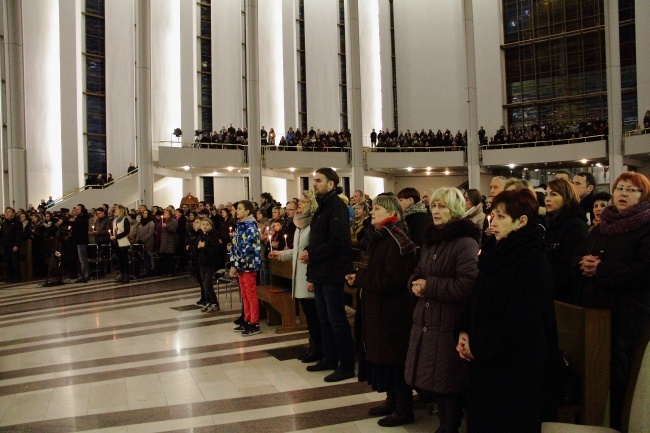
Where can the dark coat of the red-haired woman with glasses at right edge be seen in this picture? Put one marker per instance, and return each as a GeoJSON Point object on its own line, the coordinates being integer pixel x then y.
{"type": "Point", "coordinates": [621, 285]}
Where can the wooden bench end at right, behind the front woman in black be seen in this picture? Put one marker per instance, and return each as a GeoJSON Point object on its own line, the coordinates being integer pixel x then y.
{"type": "Point", "coordinates": [585, 337]}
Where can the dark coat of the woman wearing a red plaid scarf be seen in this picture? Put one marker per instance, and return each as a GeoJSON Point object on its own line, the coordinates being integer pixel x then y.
{"type": "Point", "coordinates": [387, 305]}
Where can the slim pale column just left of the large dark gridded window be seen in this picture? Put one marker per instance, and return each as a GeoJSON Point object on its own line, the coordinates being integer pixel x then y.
{"type": "Point", "coordinates": [473, 167]}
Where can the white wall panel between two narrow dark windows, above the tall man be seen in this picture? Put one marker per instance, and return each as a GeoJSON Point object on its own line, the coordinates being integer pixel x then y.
{"type": "Point", "coordinates": [323, 70]}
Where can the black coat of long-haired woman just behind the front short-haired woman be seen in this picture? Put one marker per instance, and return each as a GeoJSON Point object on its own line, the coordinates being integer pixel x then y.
{"type": "Point", "coordinates": [565, 231]}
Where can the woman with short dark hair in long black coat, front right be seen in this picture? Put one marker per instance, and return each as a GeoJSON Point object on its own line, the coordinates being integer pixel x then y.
{"type": "Point", "coordinates": [508, 330]}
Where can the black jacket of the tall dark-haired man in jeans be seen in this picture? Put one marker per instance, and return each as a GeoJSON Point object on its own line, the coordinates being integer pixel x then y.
{"type": "Point", "coordinates": [330, 249]}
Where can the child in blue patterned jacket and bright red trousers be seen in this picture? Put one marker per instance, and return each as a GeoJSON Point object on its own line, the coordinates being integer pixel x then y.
{"type": "Point", "coordinates": [245, 260]}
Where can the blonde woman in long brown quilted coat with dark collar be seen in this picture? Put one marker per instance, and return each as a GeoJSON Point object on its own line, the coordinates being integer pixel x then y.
{"type": "Point", "coordinates": [442, 282]}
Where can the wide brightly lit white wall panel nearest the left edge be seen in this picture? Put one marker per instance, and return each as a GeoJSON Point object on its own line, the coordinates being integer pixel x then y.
{"type": "Point", "coordinates": [42, 90]}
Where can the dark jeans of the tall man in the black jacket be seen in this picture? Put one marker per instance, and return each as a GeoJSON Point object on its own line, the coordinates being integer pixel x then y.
{"type": "Point", "coordinates": [336, 334]}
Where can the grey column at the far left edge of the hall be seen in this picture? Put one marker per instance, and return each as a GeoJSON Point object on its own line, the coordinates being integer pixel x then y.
{"type": "Point", "coordinates": [15, 115]}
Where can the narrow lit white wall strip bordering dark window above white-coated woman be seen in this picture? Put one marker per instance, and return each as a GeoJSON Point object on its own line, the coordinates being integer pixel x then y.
{"type": "Point", "coordinates": [290, 60]}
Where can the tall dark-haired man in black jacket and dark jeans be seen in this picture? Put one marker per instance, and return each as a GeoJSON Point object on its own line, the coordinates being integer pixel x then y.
{"type": "Point", "coordinates": [329, 259]}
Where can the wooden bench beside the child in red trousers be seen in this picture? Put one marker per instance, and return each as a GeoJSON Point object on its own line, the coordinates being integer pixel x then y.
{"type": "Point", "coordinates": [280, 308]}
